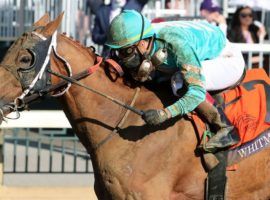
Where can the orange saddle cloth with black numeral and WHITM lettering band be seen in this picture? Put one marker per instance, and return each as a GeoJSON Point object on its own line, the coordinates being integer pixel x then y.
{"type": "Point", "coordinates": [247, 107]}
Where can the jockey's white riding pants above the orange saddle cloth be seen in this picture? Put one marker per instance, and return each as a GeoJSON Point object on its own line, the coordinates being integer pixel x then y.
{"type": "Point", "coordinates": [221, 72]}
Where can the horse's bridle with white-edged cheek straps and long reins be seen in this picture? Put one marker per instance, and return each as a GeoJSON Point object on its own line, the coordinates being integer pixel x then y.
{"type": "Point", "coordinates": [28, 95]}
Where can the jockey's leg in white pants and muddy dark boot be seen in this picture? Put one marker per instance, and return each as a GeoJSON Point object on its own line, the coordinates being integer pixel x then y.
{"type": "Point", "coordinates": [220, 73]}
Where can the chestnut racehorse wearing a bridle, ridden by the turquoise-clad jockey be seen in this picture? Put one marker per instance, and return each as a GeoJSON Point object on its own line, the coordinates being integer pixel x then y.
{"type": "Point", "coordinates": [138, 162]}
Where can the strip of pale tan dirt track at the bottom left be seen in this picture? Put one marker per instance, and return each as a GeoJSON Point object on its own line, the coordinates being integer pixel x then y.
{"type": "Point", "coordinates": [47, 193]}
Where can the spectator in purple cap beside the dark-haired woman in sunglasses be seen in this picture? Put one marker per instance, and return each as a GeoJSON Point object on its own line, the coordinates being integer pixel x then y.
{"type": "Point", "coordinates": [211, 11]}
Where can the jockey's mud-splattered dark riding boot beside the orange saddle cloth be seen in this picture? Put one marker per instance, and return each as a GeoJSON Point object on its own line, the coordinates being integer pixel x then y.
{"type": "Point", "coordinates": [224, 132]}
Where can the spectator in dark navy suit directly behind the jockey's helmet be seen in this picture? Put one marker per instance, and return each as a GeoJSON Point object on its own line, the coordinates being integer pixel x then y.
{"type": "Point", "coordinates": [104, 16]}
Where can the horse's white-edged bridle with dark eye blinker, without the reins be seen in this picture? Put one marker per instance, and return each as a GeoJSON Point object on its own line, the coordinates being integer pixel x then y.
{"type": "Point", "coordinates": [40, 85]}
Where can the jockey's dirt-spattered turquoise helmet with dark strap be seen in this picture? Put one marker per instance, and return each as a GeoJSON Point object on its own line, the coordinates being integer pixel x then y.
{"type": "Point", "coordinates": [128, 28]}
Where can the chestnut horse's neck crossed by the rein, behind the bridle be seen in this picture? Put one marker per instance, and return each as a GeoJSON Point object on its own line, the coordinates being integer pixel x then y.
{"type": "Point", "coordinates": [93, 117]}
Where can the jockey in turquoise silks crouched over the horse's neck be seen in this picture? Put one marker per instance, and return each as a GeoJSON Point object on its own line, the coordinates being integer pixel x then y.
{"type": "Point", "coordinates": [194, 55]}
